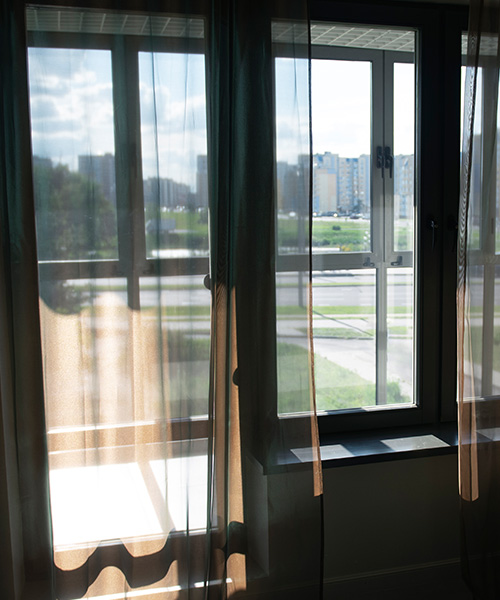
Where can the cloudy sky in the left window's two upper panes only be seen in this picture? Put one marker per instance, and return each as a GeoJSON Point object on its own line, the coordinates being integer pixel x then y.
{"type": "Point", "coordinates": [72, 109]}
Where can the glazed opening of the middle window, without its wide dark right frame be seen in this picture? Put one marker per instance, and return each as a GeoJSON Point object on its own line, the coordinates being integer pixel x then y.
{"type": "Point", "coordinates": [363, 201]}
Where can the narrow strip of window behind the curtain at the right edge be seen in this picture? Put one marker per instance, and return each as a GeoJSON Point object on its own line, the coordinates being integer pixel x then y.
{"type": "Point", "coordinates": [482, 345]}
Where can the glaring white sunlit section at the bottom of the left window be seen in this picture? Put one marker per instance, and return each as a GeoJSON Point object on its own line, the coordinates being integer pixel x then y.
{"type": "Point", "coordinates": [126, 498]}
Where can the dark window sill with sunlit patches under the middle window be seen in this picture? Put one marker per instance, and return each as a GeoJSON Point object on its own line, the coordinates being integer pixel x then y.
{"type": "Point", "coordinates": [338, 450]}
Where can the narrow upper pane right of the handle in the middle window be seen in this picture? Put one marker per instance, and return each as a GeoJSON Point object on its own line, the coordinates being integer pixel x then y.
{"type": "Point", "coordinates": [404, 155]}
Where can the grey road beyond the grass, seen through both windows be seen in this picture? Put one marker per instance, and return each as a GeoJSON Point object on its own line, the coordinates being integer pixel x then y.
{"type": "Point", "coordinates": [354, 289]}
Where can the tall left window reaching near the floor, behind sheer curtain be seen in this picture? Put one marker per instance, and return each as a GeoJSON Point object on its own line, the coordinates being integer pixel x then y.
{"type": "Point", "coordinates": [106, 204]}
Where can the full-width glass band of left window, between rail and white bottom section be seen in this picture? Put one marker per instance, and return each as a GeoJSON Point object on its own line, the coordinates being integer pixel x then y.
{"type": "Point", "coordinates": [93, 318]}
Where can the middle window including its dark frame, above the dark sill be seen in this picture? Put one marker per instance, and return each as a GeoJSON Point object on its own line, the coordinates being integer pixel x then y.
{"type": "Point", "coordinates": [383, 217]}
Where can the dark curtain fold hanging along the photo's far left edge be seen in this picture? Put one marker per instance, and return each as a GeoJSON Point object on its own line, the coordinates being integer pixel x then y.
{"type": "Point", "coordinates": [26, 521]}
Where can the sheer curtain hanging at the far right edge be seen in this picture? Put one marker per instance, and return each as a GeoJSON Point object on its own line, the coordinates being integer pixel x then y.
{"type": "Point", "coordinates": [478, 325]}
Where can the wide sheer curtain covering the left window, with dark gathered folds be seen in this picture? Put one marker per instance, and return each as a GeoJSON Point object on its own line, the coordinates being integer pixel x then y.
{"type": "Point", "coordinates": [156, 376]}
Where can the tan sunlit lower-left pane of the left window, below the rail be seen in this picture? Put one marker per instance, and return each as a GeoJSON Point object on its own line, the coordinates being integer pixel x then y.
{"type": "Point", "coordinates": [84, 376]}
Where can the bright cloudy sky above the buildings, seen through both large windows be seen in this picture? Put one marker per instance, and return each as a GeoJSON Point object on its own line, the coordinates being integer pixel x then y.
{"type": "Point", "coordinates": [72, 108]}
